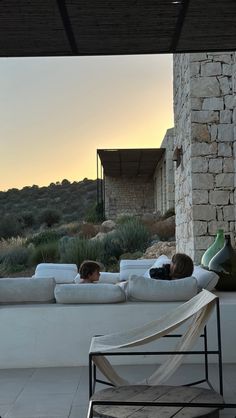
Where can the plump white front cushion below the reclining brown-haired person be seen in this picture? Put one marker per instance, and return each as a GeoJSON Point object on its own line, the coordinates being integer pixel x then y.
{"type": "Point", "coordinates": [141, 289]}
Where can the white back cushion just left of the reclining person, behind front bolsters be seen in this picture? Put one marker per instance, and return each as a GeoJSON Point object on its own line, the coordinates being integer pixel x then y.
{"type": "Point", "coordinates": [138, 267]}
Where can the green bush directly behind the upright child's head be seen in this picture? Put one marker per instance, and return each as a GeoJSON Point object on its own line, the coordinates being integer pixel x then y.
{"type": "Point", "coordinates": [76, 250]}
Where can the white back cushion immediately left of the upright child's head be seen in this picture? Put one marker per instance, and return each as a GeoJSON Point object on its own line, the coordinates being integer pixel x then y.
{"type": "Point", "coordinates": [63, 273]}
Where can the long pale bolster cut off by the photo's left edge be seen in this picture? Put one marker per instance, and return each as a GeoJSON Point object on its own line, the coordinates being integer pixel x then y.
{"type": "Point", "coordinates": [27, 290]}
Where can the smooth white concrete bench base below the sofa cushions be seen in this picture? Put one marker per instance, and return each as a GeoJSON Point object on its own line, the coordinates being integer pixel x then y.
{"type": "Point", "coordinates": [49, 335]}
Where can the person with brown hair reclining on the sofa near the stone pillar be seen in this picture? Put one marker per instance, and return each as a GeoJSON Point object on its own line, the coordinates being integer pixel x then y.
{"type": "Point", "coordinates": [181, 266]}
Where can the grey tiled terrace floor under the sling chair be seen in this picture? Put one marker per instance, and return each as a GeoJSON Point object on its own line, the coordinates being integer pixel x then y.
{"type": "Point", "coordinates": [63, 392]}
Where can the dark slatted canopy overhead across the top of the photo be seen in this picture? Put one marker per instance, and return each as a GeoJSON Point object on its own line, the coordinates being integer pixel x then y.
{"type": "Point", "coordinates": [114, 27]}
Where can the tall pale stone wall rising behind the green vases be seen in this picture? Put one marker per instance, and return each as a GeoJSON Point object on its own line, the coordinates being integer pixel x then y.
{"type": "Point", "coordinates": [205, 118]}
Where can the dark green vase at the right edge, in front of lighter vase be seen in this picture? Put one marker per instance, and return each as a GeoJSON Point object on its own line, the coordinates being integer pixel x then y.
{"type": "Point", "coordinates": [224, 264]}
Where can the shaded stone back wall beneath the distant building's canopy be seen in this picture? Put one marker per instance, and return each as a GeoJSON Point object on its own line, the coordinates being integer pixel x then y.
{"type": "Point", "coordinates": [131, 196]}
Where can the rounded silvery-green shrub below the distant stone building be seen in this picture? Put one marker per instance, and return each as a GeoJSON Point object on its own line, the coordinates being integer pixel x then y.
{"type": "Point", "coordinates": [133, 236]}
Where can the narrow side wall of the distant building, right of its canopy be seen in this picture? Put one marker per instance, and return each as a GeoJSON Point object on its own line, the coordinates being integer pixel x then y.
{"type": "Point", "coordinates": [164, 195]}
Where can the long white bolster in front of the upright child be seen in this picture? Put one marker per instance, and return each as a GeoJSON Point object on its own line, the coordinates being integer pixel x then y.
{"type": "Point", "coordinates": [89, 293]}
